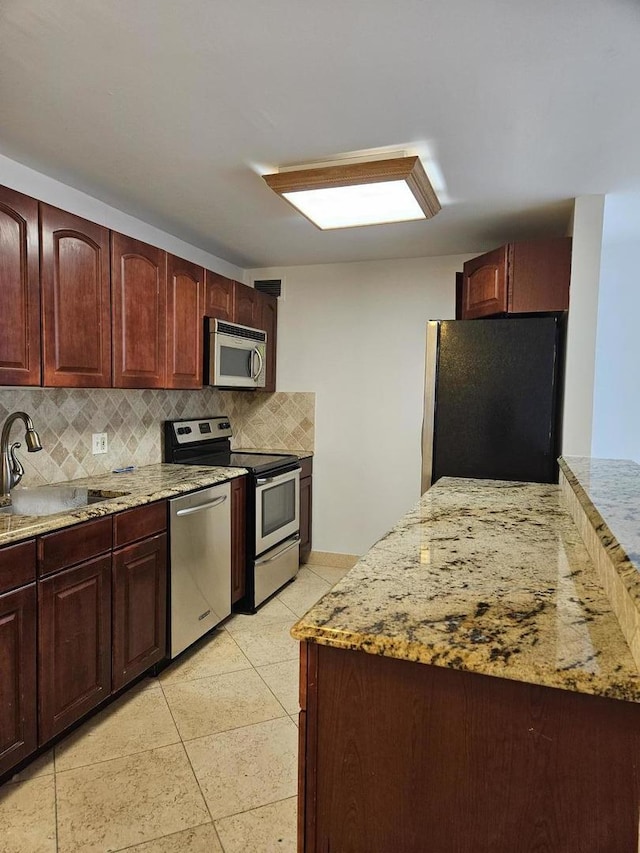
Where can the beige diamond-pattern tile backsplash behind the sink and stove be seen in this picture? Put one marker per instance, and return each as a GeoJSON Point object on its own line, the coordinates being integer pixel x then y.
{"type": "Point", "coordinates": [66, 418]}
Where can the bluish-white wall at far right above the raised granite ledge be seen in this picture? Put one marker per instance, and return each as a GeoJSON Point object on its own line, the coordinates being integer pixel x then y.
{"type": "Point", "coordinates": [616, 422]}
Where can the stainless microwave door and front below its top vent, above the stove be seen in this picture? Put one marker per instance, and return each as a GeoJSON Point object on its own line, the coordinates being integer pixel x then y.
{"type": "Point", "coordinates": [236, 362]}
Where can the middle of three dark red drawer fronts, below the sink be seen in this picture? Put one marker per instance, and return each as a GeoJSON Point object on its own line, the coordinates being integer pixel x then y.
{"type": "Point", "coordinates": [73, 545]}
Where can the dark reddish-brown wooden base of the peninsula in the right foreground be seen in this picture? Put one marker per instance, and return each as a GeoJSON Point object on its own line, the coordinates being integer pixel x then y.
{"type": "Point", "coordinates": [396, 755]}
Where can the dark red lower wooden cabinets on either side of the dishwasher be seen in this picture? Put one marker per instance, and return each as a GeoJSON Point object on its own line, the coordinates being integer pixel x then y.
{"type": "Point", "coordinates": [83, 612]}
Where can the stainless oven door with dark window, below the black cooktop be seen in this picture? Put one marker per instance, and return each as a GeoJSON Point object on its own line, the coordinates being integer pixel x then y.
{"type": "Point", "coordinates": [277, 509]}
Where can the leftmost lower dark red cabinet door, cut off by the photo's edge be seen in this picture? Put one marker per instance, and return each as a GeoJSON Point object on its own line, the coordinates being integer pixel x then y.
{"type": "Point", "coordinates": [18, 701]}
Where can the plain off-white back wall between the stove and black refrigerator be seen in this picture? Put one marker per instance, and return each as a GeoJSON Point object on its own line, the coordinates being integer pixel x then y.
{"type": "Point", "coordinates": [355, 334]}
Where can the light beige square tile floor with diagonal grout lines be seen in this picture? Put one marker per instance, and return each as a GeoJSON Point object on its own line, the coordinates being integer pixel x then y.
{"type": "Point", "coordinates": [202, 759]}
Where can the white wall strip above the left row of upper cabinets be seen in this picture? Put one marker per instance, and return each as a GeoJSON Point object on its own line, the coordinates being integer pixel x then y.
{"type": "Point", "coordinates": [28, 181]}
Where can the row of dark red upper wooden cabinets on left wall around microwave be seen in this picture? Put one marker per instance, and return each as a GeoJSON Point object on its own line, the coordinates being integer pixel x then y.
{"type": "Point", "coordinates": [82, 306]}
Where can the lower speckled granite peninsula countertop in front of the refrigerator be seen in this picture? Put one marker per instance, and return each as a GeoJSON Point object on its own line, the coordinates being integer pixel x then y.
{"type": "Point", "coordinates": [484, 576]}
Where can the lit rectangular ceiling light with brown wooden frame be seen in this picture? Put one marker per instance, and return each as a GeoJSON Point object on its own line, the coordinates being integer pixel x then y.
{"type": "Point", "coordinates": [367, 193]}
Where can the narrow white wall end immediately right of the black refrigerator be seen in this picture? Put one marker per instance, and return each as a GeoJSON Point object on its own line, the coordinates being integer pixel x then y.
{"type": "Point", "coordinates": [581, 337]}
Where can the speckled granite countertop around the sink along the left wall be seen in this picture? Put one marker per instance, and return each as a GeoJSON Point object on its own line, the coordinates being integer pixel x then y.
{"type": "Point", "coordinates": [143, 485]}
